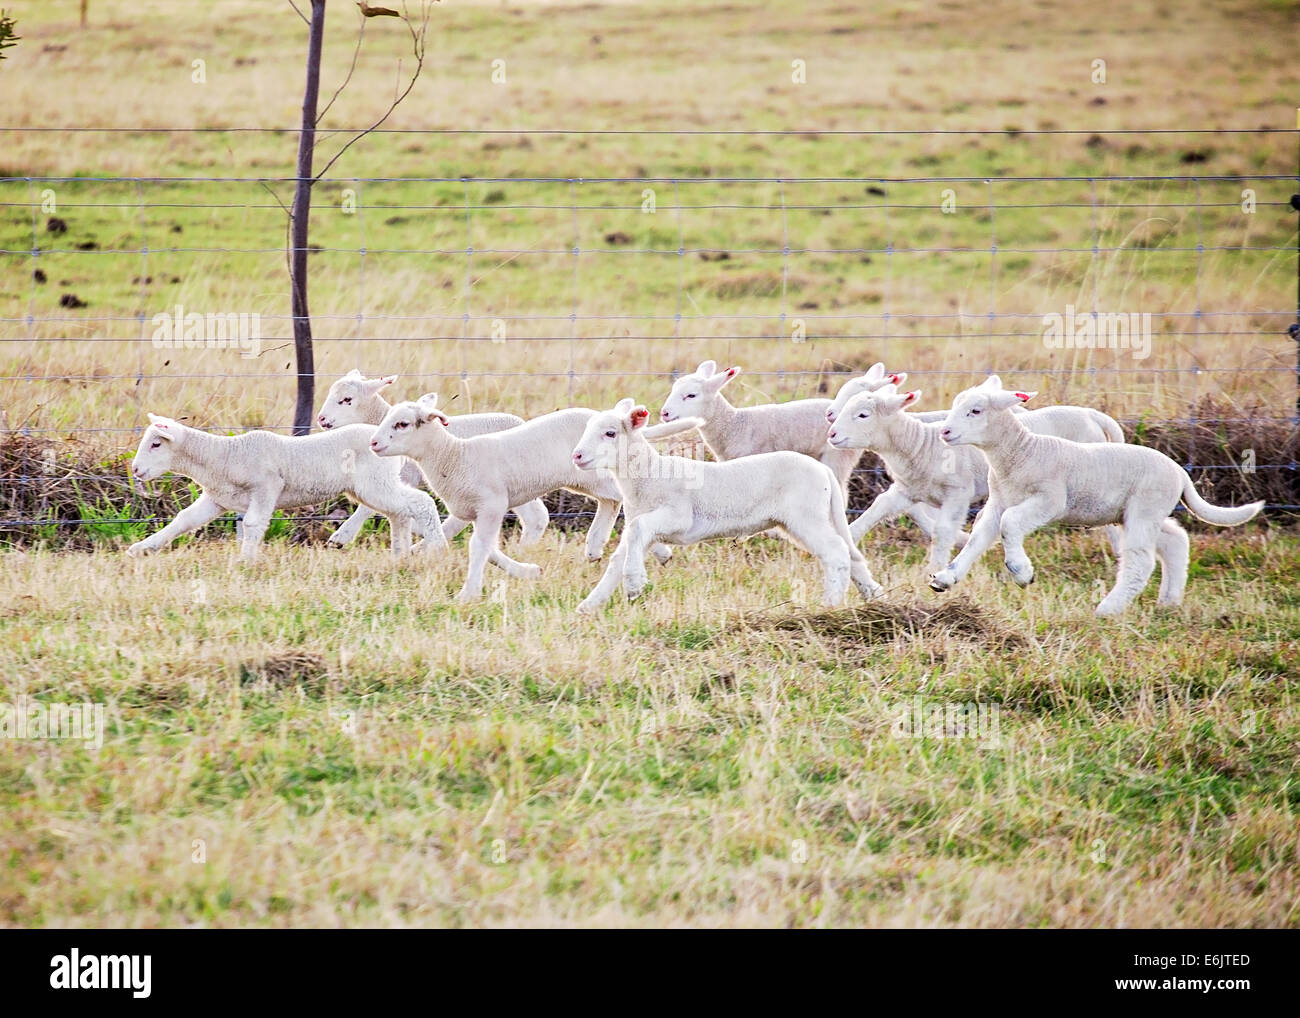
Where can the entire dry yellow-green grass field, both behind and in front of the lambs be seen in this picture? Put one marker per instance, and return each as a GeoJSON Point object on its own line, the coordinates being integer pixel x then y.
{"type": "Point", "coordinates": [328, 739]}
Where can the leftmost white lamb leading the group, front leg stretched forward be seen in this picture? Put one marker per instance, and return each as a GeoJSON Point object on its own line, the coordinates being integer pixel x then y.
{"type": "Point", "coordinates": [259, 473]}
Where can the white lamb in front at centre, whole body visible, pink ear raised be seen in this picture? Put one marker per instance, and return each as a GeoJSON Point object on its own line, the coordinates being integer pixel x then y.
{"type": "Point", "coordinates": [683, 501]}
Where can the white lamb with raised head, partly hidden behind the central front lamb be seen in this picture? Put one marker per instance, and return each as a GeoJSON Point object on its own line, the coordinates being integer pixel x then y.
{"type": "Point", "coordinates": [733, 432]}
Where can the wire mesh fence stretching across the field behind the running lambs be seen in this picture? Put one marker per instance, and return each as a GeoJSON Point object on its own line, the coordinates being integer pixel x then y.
{"type": "Point", "coordinates": [1162, 297]}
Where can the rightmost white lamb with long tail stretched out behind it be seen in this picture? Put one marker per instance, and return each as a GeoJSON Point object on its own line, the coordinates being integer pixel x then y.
{"type": "Point", "coordinates": [1035, 480]}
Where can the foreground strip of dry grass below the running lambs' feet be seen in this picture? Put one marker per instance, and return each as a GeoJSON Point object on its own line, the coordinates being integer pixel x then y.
{"type": "Point", "coordinates": [349, 747]}
